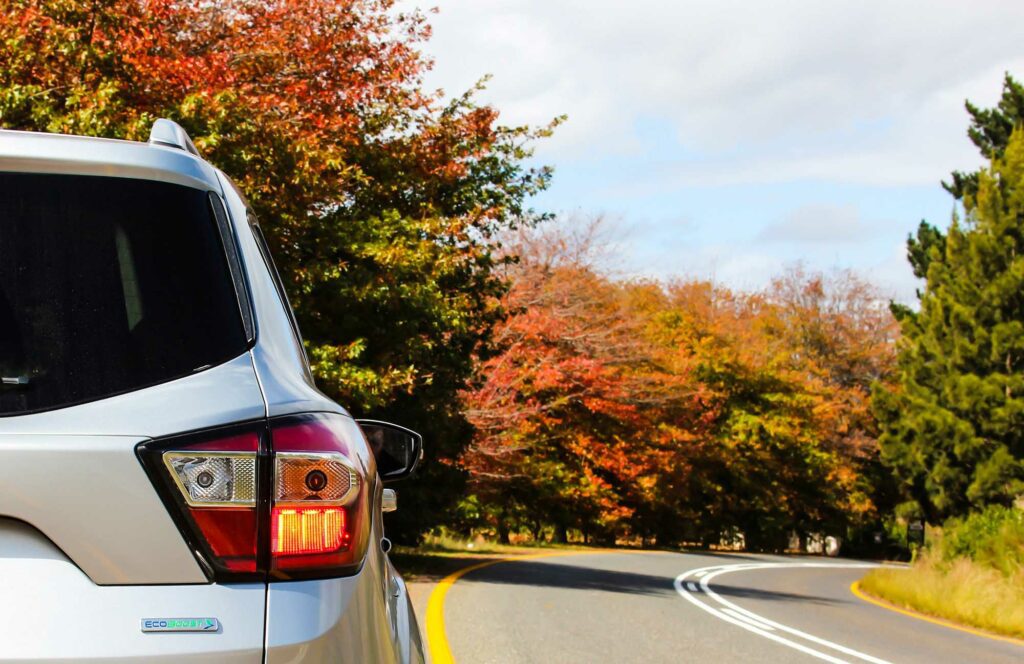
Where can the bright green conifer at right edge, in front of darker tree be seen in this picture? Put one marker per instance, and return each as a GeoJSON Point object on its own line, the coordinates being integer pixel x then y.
{"type": "Point", "coordinates": [953, 429]}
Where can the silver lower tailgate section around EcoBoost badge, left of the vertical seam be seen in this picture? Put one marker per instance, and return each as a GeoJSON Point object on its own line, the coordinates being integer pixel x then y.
{"type": "Point", "coordinates": [52, 612]}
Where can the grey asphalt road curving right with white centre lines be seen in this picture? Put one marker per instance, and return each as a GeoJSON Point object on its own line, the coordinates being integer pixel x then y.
{"type": "Point", "coordinates": [684, 608]}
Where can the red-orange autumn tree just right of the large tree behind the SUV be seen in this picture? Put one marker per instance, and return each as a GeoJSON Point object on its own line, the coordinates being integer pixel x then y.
{"type": "Point", "coordinates": [565, 437]}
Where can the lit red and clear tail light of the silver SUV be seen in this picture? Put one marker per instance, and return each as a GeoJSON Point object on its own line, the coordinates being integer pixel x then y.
{"type": "Point", "coordinates": [288, 500]}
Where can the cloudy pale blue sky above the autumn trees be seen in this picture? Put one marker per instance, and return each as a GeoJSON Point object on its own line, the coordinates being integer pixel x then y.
{"type": "Point", "coordinates": [730, 141]}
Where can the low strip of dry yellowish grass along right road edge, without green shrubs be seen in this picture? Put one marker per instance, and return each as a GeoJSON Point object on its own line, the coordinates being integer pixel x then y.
{"type": "Point", "coordinates": [961, 591]}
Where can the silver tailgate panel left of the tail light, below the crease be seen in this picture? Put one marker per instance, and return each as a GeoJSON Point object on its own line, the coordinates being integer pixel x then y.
{"type": "Point", "coordinates": [91, 496]}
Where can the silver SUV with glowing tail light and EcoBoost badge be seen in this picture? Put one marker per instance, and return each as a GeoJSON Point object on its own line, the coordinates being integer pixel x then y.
{"type": "Point", "coordinates": [173, 485]}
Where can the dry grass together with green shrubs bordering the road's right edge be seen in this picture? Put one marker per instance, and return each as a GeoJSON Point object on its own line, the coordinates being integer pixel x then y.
{"type": "Point", "coordinates": [972, 574]}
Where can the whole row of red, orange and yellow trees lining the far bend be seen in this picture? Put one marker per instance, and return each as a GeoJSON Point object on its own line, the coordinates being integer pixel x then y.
{"type": "Point", "coordinates": [658, 399]}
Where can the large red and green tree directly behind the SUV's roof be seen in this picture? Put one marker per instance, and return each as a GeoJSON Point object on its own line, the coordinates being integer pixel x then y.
{"type": "Point", "coordinates": [381, 200]}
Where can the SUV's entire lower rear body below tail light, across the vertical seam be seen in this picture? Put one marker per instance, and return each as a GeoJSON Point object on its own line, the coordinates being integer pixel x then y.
{"type": "Point", "coordinates": [52, 612]}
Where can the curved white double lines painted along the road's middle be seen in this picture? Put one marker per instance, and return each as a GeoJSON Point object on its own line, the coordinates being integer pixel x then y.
{"type": "Point", "coordinates": [758, 625]}
